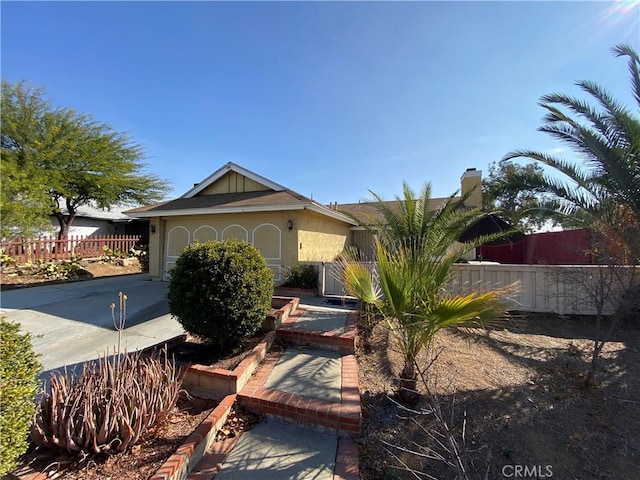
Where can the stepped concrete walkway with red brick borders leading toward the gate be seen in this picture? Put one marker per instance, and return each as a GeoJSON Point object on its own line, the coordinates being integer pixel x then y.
{"type": "Point", "coordinates": [310, 402]}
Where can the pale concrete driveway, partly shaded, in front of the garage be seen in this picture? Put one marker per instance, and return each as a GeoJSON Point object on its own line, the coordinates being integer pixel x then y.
{"type": "Point", "coordinates": [71, 322]}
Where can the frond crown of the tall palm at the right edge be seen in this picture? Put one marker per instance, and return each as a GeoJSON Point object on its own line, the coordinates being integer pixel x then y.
{"type": "Point", "coordinates": [604, 190]}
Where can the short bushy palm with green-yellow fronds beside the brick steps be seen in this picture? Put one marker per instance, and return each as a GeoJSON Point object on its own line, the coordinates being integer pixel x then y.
{"type": "Point", "coordinates": [416, 249]}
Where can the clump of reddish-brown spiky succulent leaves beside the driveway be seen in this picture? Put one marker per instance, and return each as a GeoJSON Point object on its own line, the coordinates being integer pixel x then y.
{"type": "Point", "coordinates": [109, 405]}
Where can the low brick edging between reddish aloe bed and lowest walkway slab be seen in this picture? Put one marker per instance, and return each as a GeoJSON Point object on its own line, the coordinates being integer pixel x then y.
{"type": "Point", "coordinates": [182, 463]}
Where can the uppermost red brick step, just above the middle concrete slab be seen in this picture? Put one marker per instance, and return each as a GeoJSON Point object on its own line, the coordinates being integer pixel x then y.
{"type": "Point", "coordinates": [343, 342]}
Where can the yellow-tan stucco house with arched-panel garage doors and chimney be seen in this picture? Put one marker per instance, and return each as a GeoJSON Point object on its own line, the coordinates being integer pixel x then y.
{"type": "Point", "coordinates": [235, 203]}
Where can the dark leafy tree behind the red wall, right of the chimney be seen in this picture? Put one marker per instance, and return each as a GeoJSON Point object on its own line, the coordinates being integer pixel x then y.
{"type": "Point", "coordinates": [523, 207]}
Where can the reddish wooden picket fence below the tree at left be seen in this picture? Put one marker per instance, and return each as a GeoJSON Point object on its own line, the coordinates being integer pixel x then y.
{"type": "Point", "coordinates": [50, 248]}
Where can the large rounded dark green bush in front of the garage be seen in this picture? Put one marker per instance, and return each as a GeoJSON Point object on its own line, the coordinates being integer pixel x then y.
{"type": "Point", "coordinates": [221, 292]}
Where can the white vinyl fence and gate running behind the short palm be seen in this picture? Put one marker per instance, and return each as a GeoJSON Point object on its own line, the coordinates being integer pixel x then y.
{"type": "Point", "coordinates": [561, 289]}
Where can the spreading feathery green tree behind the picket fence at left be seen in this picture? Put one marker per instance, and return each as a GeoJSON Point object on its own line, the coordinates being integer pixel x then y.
{"type": "Point", "coordinates": [57, 160]}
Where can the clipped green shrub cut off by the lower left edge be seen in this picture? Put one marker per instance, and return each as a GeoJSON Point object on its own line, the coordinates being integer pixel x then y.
{"type": "Point", "coordinates": [19, 367]}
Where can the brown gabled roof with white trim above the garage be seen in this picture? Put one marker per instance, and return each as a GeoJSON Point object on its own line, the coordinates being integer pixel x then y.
{"type": "Point", "coordinates": [274, 198]}
